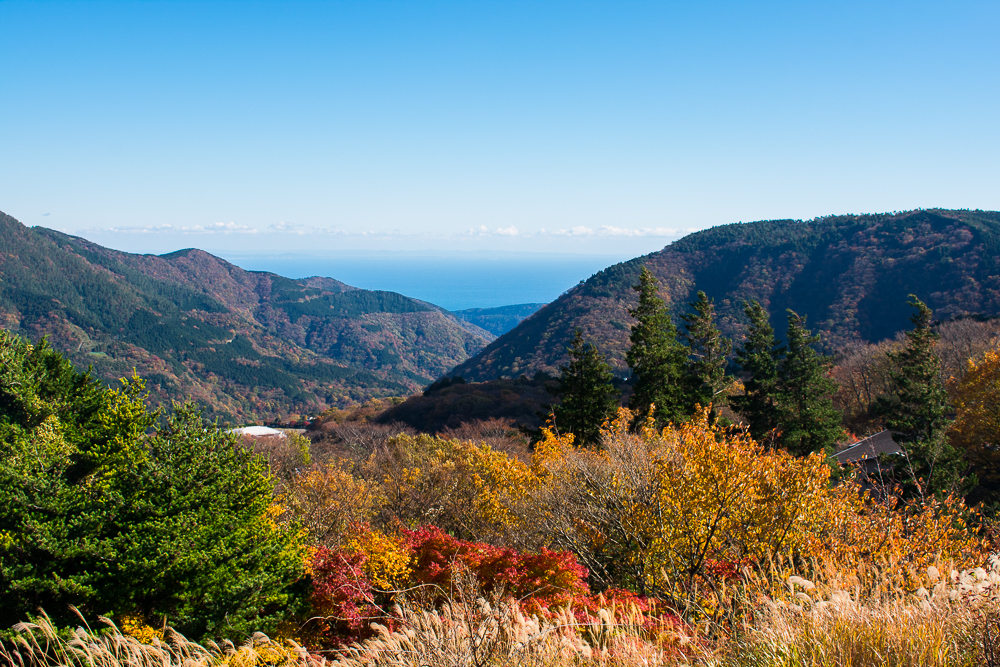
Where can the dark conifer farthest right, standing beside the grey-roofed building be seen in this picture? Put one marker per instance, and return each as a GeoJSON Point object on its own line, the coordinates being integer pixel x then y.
{"type": "Point", "coordinates": [917, 413]}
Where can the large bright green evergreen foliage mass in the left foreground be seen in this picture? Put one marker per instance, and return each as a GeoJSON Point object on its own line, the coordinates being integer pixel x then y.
{"type": "Point", "coordinates": [103, 509]}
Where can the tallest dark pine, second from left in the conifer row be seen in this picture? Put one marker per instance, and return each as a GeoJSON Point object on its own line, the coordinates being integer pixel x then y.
{"type": "Point", "coordinates": [656, 357]}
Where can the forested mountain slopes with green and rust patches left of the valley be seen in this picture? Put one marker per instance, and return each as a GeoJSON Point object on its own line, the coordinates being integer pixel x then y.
{"type": "Point", "coordinates": [248, 345]}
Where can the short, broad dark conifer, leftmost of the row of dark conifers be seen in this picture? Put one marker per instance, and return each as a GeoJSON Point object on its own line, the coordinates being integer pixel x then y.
{"type": "Point", "coordinates": [589, 397]}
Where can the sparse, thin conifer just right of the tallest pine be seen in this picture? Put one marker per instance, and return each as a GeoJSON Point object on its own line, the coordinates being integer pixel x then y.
{"type": "Point", "coordinates": [708, 350]}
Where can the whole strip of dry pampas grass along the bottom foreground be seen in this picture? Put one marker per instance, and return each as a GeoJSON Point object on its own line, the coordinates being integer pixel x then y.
{"type": "Point", "coordinates": [952, 620]}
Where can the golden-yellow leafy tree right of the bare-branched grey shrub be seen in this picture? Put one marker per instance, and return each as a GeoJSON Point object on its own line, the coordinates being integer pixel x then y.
{"type": "Point", "coordinates": [724, 497]}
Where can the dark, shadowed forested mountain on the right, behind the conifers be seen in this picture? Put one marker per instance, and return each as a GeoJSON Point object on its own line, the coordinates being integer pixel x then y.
{"type": "Point", "coordinates": [849, 274]}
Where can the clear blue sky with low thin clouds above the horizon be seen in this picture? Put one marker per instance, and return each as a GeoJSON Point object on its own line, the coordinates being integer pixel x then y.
{"type": "Point", "coordinates": [581, 127]}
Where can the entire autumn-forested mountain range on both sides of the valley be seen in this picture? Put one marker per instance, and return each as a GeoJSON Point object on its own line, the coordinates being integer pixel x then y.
{"type": "Point", "coordinates": [255, 346]}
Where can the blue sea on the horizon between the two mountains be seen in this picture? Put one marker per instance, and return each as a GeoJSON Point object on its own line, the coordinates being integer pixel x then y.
{"type": "Point", "coordinates": [454, 283]}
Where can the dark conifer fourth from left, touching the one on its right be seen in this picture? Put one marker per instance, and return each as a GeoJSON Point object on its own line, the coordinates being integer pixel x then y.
{"type": "Point", "coordinates": [758, 357]}
